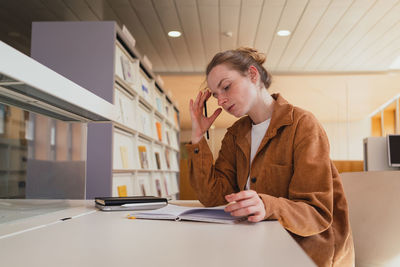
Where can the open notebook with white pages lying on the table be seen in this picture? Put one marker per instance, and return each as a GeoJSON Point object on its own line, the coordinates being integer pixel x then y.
{"type": "Point", "coordinates": [177, 213]}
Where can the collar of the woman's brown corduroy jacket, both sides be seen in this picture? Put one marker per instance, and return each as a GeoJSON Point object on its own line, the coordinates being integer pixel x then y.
{"type": "Point", "coordinates": [281, 116]}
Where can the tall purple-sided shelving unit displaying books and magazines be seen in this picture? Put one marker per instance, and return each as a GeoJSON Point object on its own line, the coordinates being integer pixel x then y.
{"type": "Point", "coordinates": [121, 153]}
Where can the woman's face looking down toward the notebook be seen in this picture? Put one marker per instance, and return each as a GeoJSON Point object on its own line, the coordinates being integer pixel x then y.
{"type": "Point", "coordinates": [235, 93]}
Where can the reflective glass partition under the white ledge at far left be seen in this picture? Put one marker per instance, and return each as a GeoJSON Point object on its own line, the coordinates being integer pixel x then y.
{"type": "Point", "coordinates": [41, 157]}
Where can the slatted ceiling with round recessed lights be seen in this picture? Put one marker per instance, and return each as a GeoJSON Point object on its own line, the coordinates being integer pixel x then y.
{"type": "Point", "coordinates": [327, 35]}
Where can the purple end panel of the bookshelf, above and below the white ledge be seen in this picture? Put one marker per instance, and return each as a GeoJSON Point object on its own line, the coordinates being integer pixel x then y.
{"type": "Point", "coordinates": [84, 53]}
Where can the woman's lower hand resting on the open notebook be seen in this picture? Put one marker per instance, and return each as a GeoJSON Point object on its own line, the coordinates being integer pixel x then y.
{"type": "Point", "coordinates": [246, 203]}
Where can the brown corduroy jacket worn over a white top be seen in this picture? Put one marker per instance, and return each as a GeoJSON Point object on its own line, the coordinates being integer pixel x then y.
{"type": "Point", "coordinates": [292, 173]}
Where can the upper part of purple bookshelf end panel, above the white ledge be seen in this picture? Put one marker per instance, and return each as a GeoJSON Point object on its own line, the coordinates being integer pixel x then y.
{"type": "Point", "coordinates": [81, 51]}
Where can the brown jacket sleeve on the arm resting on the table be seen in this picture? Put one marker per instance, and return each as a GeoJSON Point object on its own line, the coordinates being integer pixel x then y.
{"type": "Point", "coordinates": [309, 207]}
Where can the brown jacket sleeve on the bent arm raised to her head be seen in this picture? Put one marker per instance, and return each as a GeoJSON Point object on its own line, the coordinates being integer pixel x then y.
{"type": "Point", "coordinates": [212, 182]}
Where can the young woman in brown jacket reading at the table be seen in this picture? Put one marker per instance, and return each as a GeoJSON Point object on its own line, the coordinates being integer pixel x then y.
{"type": "Point", "coordinates": [274, 161]}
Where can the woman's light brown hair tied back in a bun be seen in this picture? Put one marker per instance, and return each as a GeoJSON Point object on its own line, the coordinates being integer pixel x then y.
{"type": "Point", "coordinates": [241, 59]}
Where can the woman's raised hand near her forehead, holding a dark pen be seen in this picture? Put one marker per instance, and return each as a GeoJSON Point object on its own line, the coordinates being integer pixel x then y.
{"type": "Point", "coordinates": [200, 123]}
